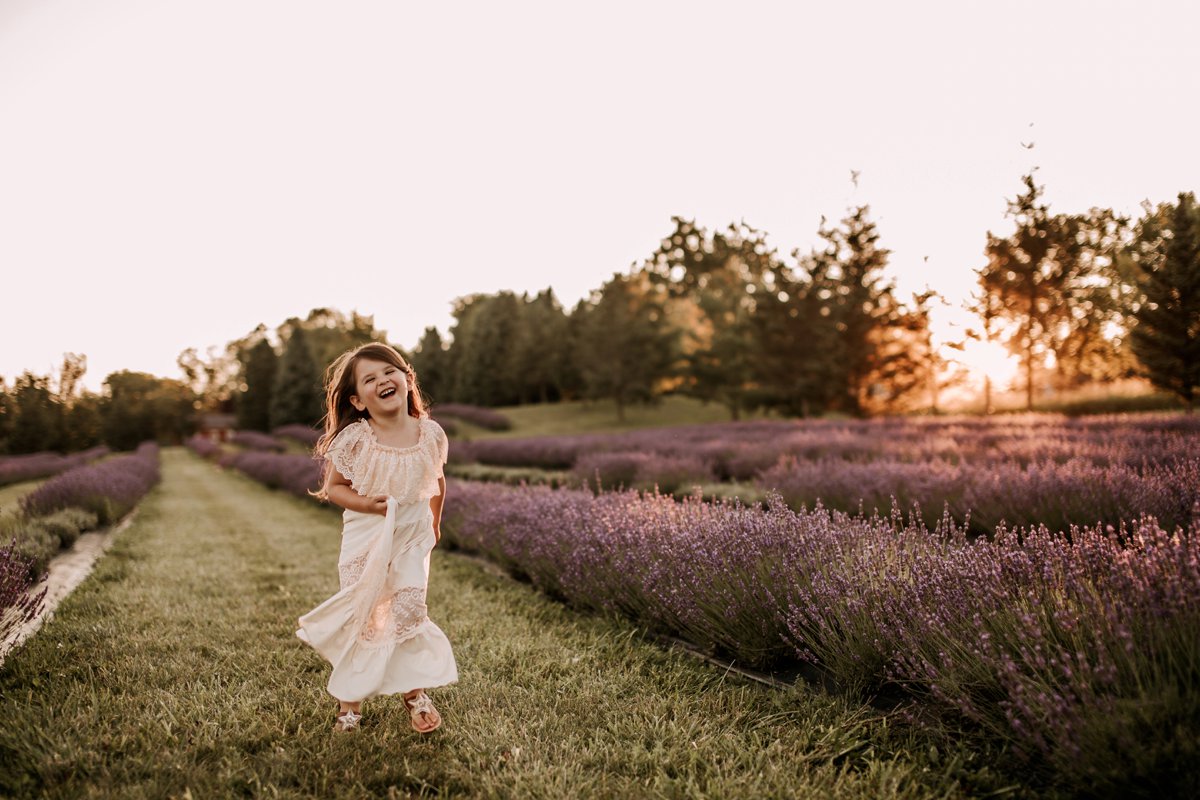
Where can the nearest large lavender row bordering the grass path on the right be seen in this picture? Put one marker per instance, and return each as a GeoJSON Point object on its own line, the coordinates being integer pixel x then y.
{"type": "Point", "coordinates": [1078, 652]}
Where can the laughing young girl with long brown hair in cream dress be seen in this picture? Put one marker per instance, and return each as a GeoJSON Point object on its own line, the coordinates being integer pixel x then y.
{"type": "Point", "coordinates": [386, 459]}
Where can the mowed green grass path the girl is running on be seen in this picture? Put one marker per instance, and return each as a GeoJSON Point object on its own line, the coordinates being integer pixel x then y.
{"type": "Point", "coordinates": [175, 672]}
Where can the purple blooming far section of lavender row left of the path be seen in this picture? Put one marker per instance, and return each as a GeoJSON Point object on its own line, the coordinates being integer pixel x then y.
{"type": "Point", "coordinates": [109, 490]}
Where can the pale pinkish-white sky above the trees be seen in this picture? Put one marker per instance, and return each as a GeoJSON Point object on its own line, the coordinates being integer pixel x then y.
{"type": "Point", "coordinates": [173, 175]}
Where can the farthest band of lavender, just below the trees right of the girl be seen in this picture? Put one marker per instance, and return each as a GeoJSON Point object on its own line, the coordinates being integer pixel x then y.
{"type": "Point", "coordinates": [743, 450]}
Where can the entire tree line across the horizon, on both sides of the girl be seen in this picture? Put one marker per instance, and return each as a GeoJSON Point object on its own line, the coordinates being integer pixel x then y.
{"type": "Point", "coordinates": [715, 315]}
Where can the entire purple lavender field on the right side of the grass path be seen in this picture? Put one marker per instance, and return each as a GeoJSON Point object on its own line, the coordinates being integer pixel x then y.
{"type": "Point", "coordinates": [1030, 582]}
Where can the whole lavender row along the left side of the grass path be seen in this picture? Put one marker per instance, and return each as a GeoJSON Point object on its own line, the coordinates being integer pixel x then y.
{"type": "Point", "coordinates": [56, 514]}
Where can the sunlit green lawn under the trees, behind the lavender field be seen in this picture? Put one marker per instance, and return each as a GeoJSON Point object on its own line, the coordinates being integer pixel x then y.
{"type": "Point", "coordinates": [599, 417]}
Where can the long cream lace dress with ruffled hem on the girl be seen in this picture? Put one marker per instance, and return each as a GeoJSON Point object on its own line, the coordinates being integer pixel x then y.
{"type": "Point", "coordinates": [376, 630]}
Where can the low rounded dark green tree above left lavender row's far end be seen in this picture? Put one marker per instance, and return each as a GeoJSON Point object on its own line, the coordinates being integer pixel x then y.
{"type": "Point", "coordinates": [140, 407]}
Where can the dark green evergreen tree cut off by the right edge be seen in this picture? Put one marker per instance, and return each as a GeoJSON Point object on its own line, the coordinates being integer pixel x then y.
{"type": "Point", "coordinates": [1167, 339]}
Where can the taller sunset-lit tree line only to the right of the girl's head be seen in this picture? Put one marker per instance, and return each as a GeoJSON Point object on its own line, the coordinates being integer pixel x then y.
{"type": "Point", "coordinates": [721, 316]}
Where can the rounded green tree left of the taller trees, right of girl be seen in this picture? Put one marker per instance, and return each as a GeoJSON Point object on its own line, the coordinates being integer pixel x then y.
{"type": "Point", "coordinates": [625, 352]}
